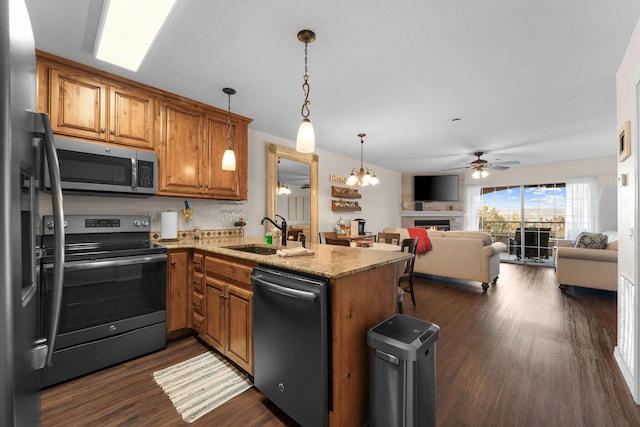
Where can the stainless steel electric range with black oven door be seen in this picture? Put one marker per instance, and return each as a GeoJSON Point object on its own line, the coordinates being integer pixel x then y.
{"type": "Point", "coordinates": [113, 293]}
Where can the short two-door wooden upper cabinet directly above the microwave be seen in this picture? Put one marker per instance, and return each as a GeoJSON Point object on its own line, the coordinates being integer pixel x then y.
{"type": "Point", "coordinates": [84, 107]}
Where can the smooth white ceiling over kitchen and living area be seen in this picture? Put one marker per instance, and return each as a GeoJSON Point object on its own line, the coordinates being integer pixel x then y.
{"type": "Point", "coordinates": [532, 80]}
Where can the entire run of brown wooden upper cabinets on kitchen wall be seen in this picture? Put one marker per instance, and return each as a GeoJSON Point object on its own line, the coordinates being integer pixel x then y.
{"type": "Point", "coordinates": [189, 137]}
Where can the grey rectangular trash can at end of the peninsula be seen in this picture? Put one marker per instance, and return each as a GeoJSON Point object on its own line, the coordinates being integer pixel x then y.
{"type": "Point", "coordinates": [403, 372]}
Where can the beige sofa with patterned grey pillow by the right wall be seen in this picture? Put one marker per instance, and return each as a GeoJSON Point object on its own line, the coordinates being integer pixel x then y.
{"type": "Point", "coordinates": [587, 267]}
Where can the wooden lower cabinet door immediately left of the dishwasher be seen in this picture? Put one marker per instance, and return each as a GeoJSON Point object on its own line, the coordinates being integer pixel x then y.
{"type": "Point", "coordinates": [240, 327]}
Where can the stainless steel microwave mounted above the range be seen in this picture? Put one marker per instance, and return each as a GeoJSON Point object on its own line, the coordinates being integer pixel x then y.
{"type": "Point", "coordinates": [97, 168]}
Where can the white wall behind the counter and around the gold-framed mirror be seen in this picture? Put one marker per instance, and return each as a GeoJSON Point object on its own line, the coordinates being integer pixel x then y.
{"type": "Point", "coordinates": [380, 204]}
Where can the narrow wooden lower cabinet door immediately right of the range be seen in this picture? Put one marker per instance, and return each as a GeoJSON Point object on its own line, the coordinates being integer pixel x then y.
{"type": "Point", "coordinates": [178, 291]}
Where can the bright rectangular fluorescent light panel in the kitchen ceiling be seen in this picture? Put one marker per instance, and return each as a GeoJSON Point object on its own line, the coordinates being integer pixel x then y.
{"type": "Point", "coordinates": [129, 28]}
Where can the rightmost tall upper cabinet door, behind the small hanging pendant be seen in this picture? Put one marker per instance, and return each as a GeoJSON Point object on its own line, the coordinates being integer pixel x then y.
{"type": "Point", "coordinates": [220, 183]}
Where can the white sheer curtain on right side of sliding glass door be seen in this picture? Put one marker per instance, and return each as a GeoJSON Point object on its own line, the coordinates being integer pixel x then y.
{"type": "Point", "coordinates": [581, 205]}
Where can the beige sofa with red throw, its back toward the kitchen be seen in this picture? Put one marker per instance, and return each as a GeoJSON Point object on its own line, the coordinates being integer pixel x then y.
{"type": "Point", "coordinates": [466, 255]}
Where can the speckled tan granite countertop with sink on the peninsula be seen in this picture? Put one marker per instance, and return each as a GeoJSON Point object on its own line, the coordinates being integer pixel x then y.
{"type": "Point", "coordinates": [330, 261]}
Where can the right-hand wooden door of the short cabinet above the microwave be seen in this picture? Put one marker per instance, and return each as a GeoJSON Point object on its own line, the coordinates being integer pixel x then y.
{"type": "Point", "coordinates": [131, 117]}
